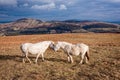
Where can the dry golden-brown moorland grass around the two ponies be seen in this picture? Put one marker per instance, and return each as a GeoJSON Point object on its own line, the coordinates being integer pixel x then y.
{"type": "Point", "coordinates": [104, 58]}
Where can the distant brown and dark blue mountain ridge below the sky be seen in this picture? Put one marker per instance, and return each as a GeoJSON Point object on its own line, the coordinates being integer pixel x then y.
{"type": "Point", "coordinates": [35, 26]}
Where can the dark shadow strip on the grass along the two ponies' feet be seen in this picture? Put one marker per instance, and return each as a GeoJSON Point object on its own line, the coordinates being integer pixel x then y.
{"type": "Point", "coordinates": [18, 58]}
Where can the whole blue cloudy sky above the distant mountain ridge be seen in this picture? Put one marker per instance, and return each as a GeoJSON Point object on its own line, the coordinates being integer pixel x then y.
{"type": "Point", "coordinates": [101, 10]}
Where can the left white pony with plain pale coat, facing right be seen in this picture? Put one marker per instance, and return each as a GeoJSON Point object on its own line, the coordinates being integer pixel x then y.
{"type": "Point", "coordinates": [37, 48]}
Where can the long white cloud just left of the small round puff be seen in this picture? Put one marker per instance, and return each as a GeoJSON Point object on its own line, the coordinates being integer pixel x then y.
{"type": "Point", "coordinates": [44, 7]}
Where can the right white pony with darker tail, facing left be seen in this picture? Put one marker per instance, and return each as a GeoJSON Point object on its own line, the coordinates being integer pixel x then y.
{"type": "Point", "coordinates": [71, 49]}
